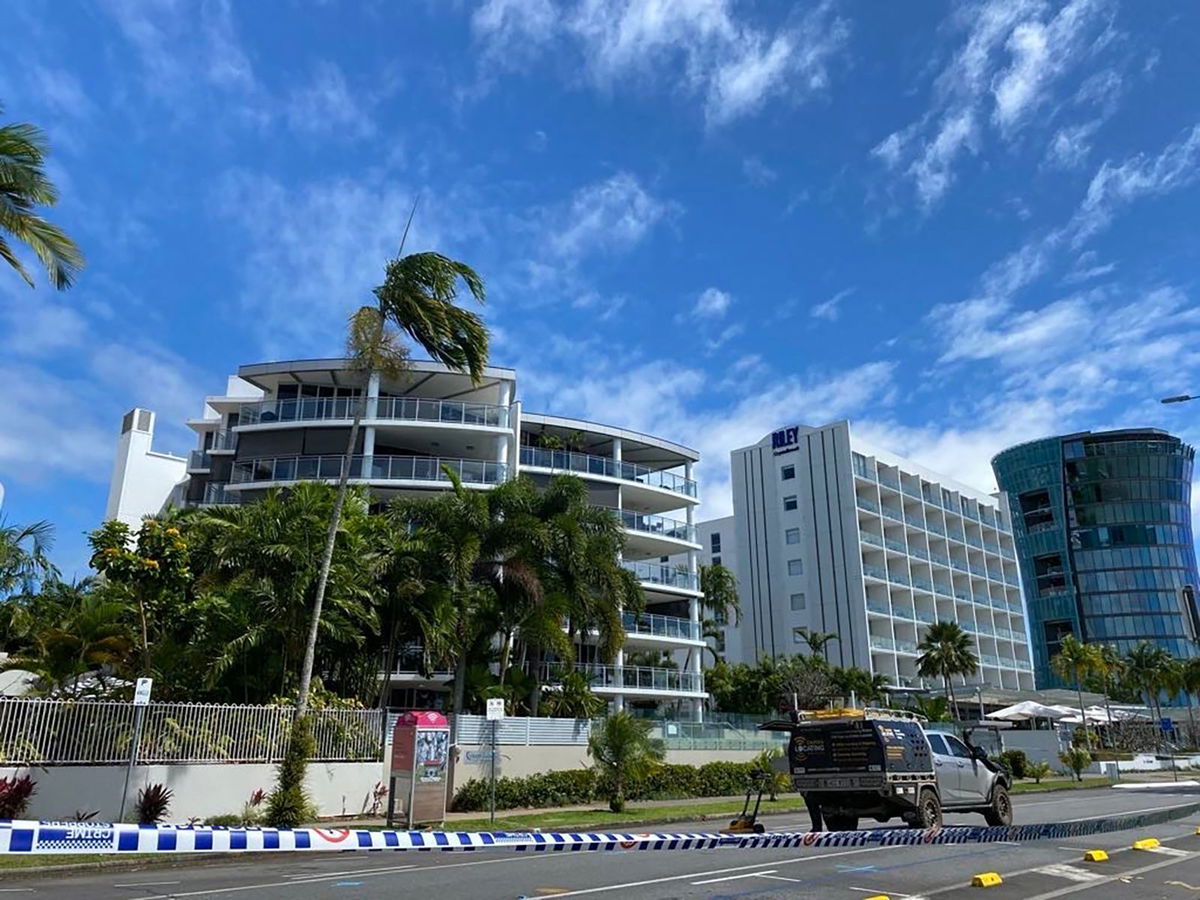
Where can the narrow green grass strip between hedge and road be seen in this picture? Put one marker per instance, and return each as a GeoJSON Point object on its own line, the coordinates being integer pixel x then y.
{"type": "Point", "coordinates": [632, 817]}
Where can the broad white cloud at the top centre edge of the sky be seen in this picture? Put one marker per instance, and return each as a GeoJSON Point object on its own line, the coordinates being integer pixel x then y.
{"type": "Point", "coordinates": [700, 47]}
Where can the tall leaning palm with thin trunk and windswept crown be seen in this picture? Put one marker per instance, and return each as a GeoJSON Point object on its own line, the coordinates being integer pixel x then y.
{"type": "Point", "coordinates": [418, 296]}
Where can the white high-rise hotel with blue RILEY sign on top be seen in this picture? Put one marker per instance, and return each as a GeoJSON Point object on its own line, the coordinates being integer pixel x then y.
{"type": "Point", "coordinates": [833, 536]}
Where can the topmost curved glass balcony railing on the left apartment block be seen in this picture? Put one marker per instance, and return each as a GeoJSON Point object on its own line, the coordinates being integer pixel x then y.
{"type": "Point", "coordinates": [409, 410]}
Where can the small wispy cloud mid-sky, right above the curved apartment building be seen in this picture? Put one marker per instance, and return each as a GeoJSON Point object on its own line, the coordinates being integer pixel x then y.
{"type": "Point", "coordinates": [609, 217]}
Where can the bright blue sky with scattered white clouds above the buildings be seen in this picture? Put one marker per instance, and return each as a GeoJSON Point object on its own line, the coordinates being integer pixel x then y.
{"type": "Point", "coordinates": [961, 225]}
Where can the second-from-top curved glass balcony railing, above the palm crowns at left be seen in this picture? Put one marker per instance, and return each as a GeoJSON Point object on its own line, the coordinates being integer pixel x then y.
{"type": "Point", "coordinates": [381, 469]}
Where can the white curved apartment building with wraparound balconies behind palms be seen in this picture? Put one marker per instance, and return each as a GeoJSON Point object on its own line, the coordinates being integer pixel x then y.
{"type": "Point", "coordinates": [281, 423]}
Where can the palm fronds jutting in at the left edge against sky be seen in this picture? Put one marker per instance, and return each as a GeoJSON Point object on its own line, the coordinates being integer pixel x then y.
{"type": "Point", "coordinates": [23, 189]}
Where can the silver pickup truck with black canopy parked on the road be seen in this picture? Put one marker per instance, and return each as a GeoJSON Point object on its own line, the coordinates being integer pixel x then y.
{"type": "Point", "coordinates": [883, 765]}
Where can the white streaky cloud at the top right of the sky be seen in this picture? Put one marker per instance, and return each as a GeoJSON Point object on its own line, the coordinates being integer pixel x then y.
{"type": "Point", "coordinates": [1042, 51]}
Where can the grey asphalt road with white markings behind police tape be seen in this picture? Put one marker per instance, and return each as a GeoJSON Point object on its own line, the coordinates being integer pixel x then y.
{"type": "Point", "coordinates": [1033, 872]}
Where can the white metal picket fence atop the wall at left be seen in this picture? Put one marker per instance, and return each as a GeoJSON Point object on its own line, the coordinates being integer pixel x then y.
{"type": "Point", "coordinates": [59, 733]}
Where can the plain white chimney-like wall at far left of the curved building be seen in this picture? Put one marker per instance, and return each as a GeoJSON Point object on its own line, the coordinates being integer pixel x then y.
{"type": "Point", "coordinates": [143, 481]}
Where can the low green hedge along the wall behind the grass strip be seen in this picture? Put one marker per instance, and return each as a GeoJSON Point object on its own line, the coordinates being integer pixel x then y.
{"type": "Point", "coordinates": [575, 787]}
